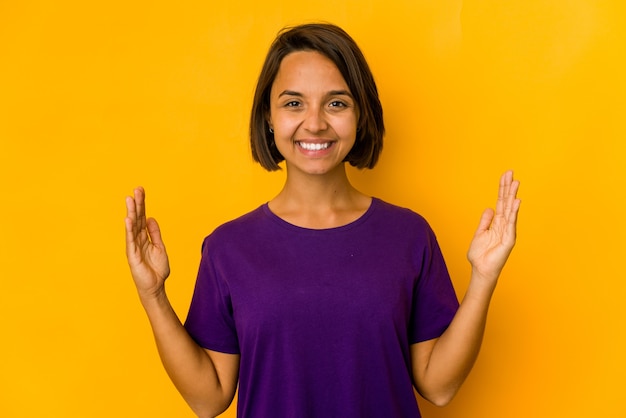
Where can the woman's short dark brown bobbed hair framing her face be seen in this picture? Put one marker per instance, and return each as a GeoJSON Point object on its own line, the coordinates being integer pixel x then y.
{"type": "Point", "coordinates": [335, 44]}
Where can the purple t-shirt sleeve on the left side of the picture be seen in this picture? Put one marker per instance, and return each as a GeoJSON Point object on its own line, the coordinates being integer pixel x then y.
{"type": "Point", "coordinates": [210, 319]}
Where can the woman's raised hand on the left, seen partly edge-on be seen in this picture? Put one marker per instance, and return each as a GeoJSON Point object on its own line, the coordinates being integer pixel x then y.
{"type": "Point", "coordinates": [145, 250]}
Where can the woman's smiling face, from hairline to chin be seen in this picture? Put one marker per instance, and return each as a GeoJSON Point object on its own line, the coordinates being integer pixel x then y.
{"type": "Point", "coordinates": [312, 113]}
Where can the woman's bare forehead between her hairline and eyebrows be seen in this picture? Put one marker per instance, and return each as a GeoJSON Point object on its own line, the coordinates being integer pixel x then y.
{"type": "Point", "coordinates": [308, 67]}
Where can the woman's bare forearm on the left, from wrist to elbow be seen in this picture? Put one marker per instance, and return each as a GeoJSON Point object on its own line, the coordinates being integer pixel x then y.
{"type": "Point", "coordinates": [188, 365]}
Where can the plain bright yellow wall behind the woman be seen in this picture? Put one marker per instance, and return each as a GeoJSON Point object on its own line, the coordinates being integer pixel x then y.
{"type": "Point", "coordinates": [98, 97]}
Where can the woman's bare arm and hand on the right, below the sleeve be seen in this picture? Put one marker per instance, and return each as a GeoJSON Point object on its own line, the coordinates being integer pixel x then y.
{"type": "Point", "coordinates": [441, 365]}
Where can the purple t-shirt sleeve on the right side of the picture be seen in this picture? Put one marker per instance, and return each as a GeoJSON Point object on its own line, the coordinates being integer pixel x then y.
{"type": "Point", "coordinates": [434, 300]}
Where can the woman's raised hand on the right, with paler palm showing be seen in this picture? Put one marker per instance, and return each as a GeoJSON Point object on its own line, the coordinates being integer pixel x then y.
{"type": "Point", "coordinates": [495, 237]}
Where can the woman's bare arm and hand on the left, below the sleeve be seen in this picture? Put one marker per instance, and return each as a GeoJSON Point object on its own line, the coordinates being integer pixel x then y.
{"type": "Point", "coordinates": [206, 379]}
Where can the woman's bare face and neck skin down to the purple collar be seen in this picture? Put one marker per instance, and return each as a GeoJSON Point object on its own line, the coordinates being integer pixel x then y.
{"type": "Point", "coordinates": [310, 102]}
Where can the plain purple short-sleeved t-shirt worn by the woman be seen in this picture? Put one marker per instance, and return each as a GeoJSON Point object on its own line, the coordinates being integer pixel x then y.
{"type": "Point", "coordinates": [322, 319]}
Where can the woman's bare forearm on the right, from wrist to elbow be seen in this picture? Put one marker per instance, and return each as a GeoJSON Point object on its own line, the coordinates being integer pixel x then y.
{"type": "Point", "coordinates": [454, 353]}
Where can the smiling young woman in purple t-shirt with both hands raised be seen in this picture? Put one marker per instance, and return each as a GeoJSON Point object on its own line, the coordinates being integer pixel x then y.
{"type": "Point", "coordinates": [323, 302]}
